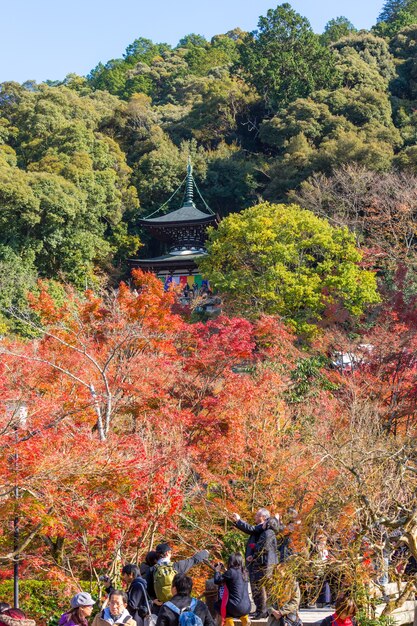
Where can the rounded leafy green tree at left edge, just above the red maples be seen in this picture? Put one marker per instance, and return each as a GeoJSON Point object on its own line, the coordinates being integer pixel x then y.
{"type": "Point", "coordinates": [46, 217]}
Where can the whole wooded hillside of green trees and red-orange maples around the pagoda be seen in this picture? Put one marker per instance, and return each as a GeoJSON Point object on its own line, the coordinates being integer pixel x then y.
{"type": "Point", "coordinates": [145, 422]}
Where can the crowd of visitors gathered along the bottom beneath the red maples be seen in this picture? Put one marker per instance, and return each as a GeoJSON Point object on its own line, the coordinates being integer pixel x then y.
{"type": "Point", "coordinates": [159, 591]}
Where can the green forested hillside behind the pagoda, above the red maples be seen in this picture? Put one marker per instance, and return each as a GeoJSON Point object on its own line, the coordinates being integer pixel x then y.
{"type": "Point", "coordinates": [269, 115]}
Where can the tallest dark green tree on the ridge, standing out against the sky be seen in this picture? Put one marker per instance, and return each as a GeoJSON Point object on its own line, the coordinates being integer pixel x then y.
{"type": "Point", "coordinates": [284, 58]}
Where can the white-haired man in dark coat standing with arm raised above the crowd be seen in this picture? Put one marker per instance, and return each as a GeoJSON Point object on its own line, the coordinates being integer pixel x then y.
{"type": "Point", "coordinates": [254, 531]}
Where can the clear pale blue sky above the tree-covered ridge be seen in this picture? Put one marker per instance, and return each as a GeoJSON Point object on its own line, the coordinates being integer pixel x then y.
{"type": "Point", "coordinates": [44, 39]}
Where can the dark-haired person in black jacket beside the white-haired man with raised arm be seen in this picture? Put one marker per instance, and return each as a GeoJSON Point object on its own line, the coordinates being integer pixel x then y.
{"type": "Point", "coordinates": [235, 601]}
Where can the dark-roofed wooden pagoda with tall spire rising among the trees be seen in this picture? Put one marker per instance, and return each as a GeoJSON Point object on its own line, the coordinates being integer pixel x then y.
{"type": "Point", "coordinates": [183, 232]}
